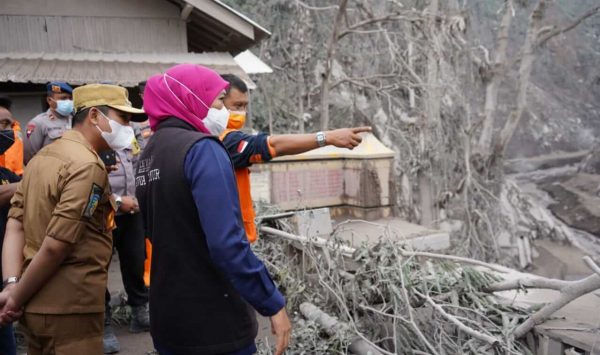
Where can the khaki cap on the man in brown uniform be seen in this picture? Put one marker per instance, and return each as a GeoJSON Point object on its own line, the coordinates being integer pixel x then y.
{"type": "Point", "coordinates": [113, 96]}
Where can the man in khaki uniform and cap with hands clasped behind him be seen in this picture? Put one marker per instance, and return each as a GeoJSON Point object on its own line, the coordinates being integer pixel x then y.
{"type": "Point", "coordinates": [58, 238]}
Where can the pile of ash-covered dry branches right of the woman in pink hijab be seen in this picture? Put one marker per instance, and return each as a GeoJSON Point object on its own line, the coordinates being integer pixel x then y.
{"type": "Point", "coordinates": [389, 302]}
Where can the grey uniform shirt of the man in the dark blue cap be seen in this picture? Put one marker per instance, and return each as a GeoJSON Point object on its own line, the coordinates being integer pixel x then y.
{"type": "Point", "coordinates": [42, 130]}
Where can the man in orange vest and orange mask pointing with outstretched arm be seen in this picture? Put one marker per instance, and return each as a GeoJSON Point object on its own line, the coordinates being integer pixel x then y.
{"type": "Point", "coordinates": [247, 149]}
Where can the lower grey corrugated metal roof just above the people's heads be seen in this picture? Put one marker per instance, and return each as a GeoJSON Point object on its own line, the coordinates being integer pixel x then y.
{"type": "Point", "coordinates": [123, 69]}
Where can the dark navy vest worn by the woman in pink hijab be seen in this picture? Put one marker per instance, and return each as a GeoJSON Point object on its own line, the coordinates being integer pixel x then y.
{"type": "Point", "coordinates": [194, 309]}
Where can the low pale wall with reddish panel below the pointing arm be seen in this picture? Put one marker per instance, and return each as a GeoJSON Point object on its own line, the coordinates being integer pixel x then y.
{"type": "Point", "coordinates": [359, 187]}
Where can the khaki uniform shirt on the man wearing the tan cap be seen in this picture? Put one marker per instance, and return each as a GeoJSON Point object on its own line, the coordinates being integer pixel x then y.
{"type": "Point", "coordinates": [65, 195]}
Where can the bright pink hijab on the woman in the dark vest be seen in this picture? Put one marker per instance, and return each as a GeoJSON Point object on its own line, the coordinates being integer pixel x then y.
{"type": "Point", "coordinates": [185, 91]}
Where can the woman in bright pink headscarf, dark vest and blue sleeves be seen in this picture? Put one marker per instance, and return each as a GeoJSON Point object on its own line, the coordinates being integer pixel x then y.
{"type": "Point", "coordinates": [206, 281]}
